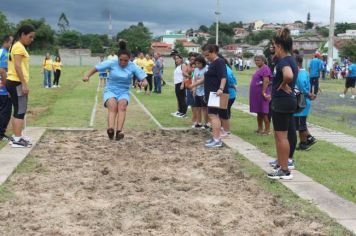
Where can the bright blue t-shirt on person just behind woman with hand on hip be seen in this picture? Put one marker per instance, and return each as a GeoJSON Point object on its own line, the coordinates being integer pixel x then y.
{"type": "Point", "coordinates": [303, 84]}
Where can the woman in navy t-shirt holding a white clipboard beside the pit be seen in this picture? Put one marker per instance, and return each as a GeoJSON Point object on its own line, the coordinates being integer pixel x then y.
{"type": "Point", "coordinates": [215, 81]}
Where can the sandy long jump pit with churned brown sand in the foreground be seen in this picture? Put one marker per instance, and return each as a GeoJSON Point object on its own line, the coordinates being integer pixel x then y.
{"type": "Point", "coordinates": [149, 183]}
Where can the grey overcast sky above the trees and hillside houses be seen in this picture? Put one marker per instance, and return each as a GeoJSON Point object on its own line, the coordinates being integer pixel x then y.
{"type": "Point", "coordinates": [89, 16]}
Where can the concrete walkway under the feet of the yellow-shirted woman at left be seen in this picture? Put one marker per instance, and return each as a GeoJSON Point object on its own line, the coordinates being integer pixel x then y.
{"type": "Point", "coordinates": [10, 157]}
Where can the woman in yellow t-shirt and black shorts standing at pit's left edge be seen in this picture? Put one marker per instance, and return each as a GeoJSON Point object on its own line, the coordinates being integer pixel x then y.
{"type": "Point", "coordinates": [17, 81]}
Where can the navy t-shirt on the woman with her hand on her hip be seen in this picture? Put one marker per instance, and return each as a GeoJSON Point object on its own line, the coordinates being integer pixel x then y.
{"type": "Point", "coordinates": [278, 79]}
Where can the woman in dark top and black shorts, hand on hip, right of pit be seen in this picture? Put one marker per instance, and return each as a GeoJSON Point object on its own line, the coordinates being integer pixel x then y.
{"type": "Point", "coordinates": [284, 101]}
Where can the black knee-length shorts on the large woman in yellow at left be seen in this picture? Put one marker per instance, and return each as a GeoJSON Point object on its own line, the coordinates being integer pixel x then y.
{"type": "Point", "coordinates": [19, 100]}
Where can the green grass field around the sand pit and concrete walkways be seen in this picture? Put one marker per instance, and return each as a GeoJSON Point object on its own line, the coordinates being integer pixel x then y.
{"type": "Point", "coordinates": [71, 106]}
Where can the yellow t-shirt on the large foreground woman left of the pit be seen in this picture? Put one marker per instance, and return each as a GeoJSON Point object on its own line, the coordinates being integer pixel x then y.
{"type": "Point", "coordinates": [19, 49]}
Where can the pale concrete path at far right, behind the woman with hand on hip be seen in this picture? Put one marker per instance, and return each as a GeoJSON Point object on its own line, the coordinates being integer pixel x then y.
{"type": "Point", "coordinates": [339, 139]}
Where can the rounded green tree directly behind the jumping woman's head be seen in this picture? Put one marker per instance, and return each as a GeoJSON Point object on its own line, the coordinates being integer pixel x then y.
{"type": "Point", "coordinates": [138, 38]}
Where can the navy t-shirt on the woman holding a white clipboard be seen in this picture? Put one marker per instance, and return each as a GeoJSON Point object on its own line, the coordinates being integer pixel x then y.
{"type": "Point", "coordinates": [216, 71]}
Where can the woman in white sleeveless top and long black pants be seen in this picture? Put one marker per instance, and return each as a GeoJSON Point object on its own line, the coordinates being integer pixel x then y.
{"type": "Point", "coordinates": [180, 70]}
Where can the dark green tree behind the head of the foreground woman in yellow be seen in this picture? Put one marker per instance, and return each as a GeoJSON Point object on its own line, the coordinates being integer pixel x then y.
{"type": "Point", "coordinates": [44, 34]}
